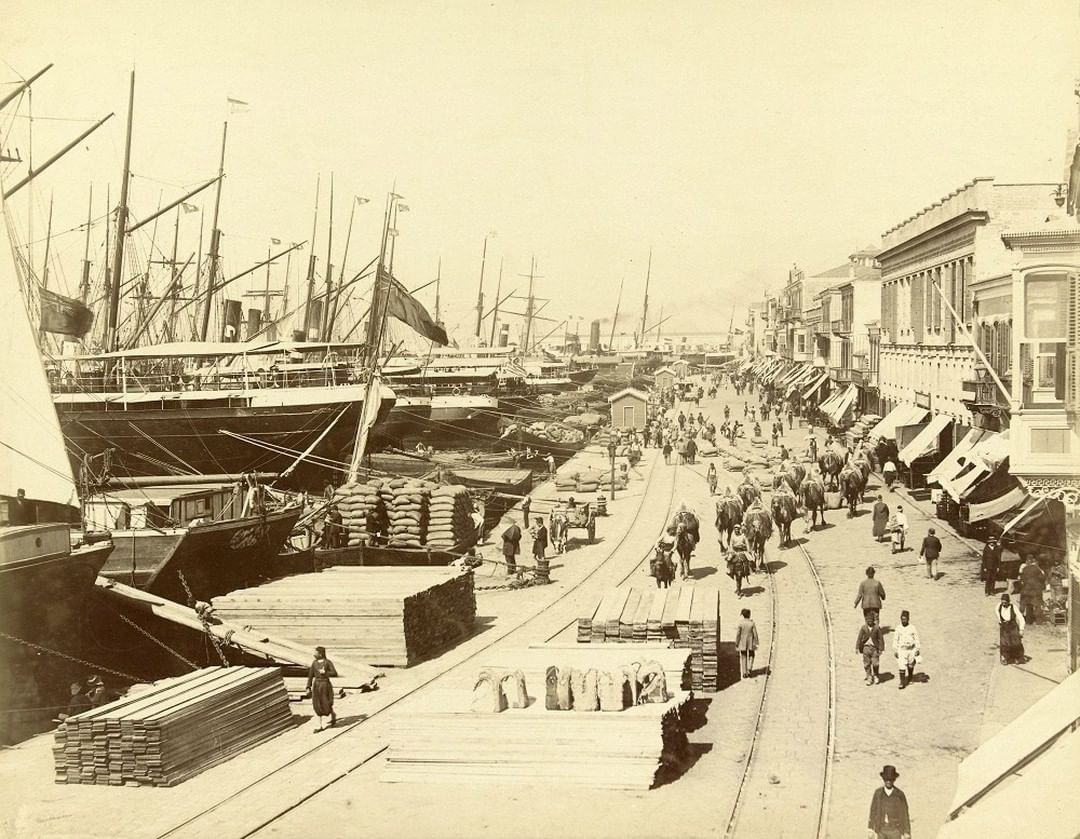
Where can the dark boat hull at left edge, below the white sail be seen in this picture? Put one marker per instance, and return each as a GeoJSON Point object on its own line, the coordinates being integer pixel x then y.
{"type": "Point", "coordinates": [44, 593]}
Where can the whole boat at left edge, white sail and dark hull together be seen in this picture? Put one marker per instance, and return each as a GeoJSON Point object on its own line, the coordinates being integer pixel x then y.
{"type": "Point", "coordinates": [46, 577]}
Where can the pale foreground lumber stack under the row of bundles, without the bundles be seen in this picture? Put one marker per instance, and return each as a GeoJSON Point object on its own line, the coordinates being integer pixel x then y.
{"type": "Point", "coordinates": [443, 740]}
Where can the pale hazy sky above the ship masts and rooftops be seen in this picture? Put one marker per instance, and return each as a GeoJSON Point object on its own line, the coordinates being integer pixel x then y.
{"type": "Point", "coordinates": [734, 139]}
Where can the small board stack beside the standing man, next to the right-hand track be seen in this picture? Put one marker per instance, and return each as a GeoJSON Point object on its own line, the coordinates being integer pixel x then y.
{"type": "Point", "coordinates": [685, 617]}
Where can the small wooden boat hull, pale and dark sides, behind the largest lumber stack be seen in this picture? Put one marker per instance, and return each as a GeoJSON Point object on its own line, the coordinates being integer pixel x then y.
{"type": "Point", "coordinates": [214, 559]}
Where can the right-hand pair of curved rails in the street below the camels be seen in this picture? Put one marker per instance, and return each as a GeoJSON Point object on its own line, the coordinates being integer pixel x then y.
{"type": "Point", "coordinates": [826, 768]}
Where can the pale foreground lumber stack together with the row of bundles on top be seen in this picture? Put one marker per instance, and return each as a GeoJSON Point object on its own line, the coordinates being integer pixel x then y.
{"type": "Point", "coordinates": [566, 716]}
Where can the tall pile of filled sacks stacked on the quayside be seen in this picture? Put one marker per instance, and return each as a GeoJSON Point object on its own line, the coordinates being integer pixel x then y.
{"type": "Point", "coordinates": [422, 513]}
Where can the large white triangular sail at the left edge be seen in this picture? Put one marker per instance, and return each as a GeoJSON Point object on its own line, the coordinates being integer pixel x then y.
{"type": "Point", "coordinates": [32, 445]}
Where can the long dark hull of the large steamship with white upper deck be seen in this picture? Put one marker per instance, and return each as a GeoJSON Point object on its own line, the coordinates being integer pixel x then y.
{"type": "Point", "coordinates": [153, 438]}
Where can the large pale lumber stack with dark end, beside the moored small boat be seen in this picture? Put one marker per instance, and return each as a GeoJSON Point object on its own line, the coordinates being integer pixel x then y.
{"type": "Point", "coordinates": [390, 617]}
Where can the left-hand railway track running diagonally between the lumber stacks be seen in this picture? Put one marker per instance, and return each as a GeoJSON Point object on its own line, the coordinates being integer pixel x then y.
{"type": "Point", "coordinates": [190, 824]}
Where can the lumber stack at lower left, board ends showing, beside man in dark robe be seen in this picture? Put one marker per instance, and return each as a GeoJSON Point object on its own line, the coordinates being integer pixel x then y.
{"type": "Point", "coordinates": [174, 730]}
